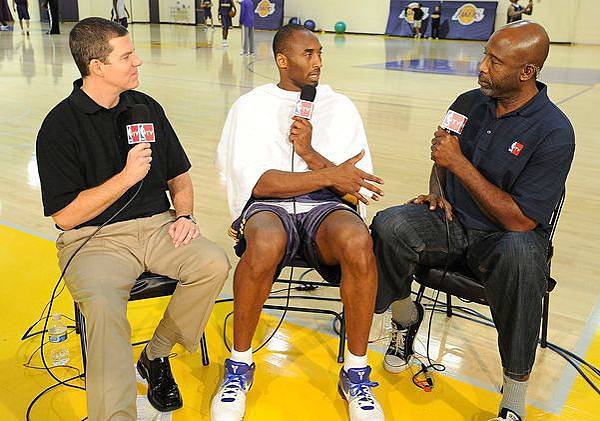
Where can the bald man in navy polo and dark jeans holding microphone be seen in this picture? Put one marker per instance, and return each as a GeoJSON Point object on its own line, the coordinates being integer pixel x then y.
{"type": "Point", "coordinates": [501, 179]}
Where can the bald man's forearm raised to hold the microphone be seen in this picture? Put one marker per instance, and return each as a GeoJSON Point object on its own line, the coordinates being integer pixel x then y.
{"type": "Point", "coordinates": [498, 205]}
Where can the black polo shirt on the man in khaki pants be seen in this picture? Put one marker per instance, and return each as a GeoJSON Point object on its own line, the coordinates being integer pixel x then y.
{"type": "Point", "coordinates": [82, 144]}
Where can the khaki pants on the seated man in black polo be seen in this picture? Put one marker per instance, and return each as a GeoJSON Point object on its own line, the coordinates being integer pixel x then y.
{"type": "Point", "coordinates": [100, 279]}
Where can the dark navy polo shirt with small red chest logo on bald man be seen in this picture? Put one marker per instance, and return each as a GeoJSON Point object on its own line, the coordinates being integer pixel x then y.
{"type": "Point", "coordinates": [526, 153]}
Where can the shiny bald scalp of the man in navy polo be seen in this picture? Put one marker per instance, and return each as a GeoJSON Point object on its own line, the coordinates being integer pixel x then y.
{"type": "Point", "coordinates": [525, 42]}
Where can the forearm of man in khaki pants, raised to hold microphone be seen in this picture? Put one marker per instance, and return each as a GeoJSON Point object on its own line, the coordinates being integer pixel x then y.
{"type": "Point", "coordinates": [91, 202]}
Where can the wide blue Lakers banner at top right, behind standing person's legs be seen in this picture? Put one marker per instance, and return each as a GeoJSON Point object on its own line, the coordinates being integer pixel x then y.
{"type": "Point", "coordinates": [459, 19]}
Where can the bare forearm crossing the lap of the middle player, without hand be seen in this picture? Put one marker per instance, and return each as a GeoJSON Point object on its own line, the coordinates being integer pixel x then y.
{"type": "Point", "coordinates": [284, 184]}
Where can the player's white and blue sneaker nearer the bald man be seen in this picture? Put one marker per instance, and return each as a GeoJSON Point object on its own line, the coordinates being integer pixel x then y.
{"type": "Point", "coordinates": [355, 387]}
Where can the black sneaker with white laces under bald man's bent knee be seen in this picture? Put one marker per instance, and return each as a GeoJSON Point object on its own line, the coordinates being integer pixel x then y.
{"type": "Point", "coordinates": [397, 356]}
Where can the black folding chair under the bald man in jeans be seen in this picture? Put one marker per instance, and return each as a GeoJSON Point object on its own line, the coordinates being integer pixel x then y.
{"type": "Point", "coordinates": [460, 282]}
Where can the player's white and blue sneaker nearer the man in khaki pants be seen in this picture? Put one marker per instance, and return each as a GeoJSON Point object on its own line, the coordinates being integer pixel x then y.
{"type": "Point", "coordinates": [229, 404]}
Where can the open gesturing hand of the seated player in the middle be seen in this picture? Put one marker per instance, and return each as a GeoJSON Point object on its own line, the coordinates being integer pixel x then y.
{"type": "Point", "coordinates": [347, 179]}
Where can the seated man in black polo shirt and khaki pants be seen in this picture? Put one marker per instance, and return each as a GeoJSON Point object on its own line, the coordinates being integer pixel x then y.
{"type": "Point", "coordinates": [90, 176]}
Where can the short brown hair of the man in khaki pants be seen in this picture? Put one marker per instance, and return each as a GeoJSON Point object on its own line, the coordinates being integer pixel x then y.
{"type": "Point", "coordinates": [88, 40]}
